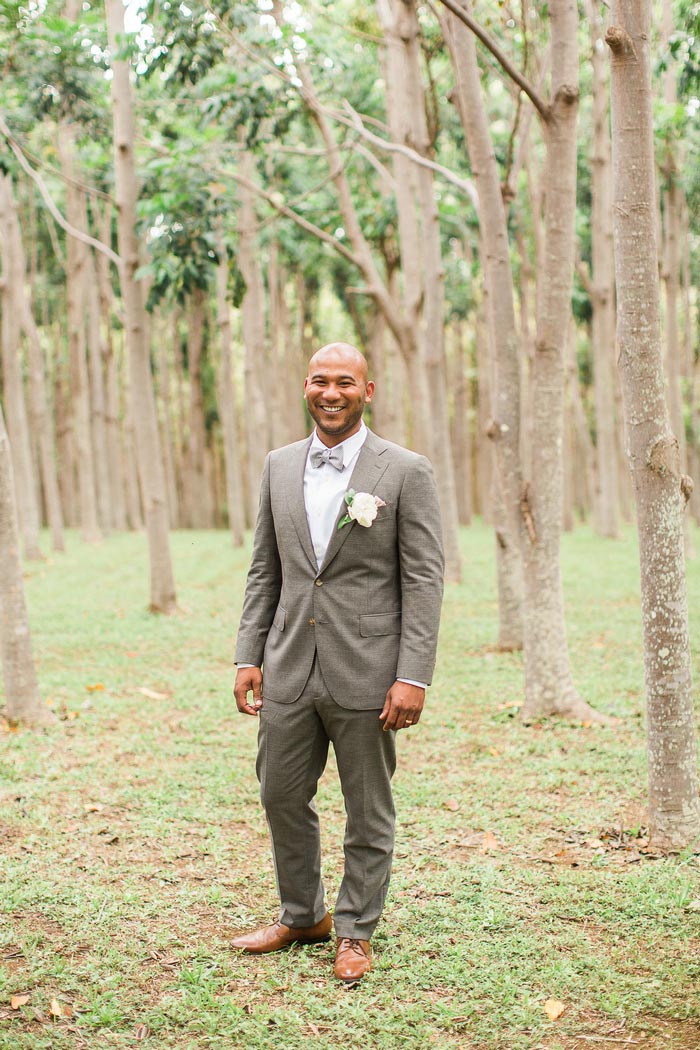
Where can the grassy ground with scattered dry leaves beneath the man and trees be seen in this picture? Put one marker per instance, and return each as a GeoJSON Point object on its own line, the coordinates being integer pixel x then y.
{"type": "Point", "coordinates": [134, 847]}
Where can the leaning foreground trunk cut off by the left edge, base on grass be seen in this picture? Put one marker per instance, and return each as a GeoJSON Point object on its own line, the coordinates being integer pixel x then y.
{"type": "Point", "coordinates": [23, 701]}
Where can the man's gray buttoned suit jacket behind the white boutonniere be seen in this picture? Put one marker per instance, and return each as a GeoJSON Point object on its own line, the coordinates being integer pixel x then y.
{"type": "Point", "coordinates": [372, 611]}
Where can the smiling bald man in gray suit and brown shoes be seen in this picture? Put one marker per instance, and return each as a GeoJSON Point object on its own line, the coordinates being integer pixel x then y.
{"type": "Point", "coordinates": [342, 613]}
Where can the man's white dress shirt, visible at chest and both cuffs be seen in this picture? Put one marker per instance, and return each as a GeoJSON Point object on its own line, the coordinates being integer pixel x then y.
{"type": "Point", "coordinates": [325, 488]}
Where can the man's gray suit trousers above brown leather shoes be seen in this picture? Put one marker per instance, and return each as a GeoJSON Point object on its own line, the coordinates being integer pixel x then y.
{"type": "Point", "coordinates": [293, 749]}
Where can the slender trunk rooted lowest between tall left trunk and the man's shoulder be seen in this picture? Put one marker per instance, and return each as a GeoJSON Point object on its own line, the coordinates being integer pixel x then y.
{"type": "Point", "coordinates": [227, 403]}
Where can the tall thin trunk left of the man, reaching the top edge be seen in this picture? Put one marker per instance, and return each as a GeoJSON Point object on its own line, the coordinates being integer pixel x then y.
{"type": "Point", "coordinates": [143, 401]}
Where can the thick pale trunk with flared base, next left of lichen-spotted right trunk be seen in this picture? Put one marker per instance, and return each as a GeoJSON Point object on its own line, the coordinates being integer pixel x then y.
{"type": "Point", "coordinates": [549, 688]}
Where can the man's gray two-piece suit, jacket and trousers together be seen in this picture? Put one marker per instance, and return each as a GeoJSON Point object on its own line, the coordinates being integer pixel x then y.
{"type": "Point", "coordinates": [332, 642]}
